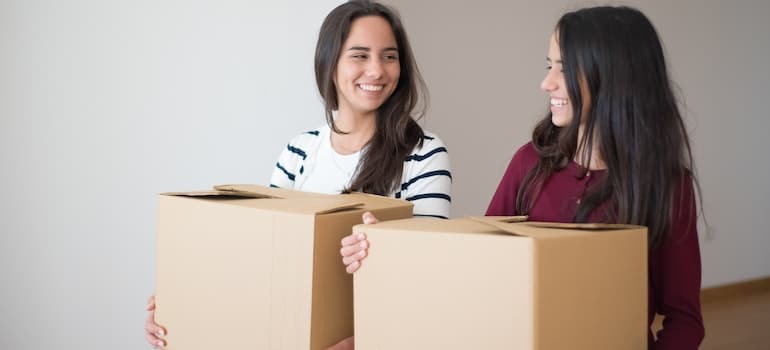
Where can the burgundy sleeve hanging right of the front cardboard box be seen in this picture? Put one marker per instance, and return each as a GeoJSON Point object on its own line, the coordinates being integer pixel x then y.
{"type": "Point", "coordinates": [675, 271]}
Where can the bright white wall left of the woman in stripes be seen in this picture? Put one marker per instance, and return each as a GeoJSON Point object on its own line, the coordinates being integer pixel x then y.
{"type": "Point", "coordinates": [103, 104]}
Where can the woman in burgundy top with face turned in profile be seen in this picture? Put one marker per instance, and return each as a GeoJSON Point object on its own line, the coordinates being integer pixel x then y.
{"type": "Point", "coordinates": [613, 148]}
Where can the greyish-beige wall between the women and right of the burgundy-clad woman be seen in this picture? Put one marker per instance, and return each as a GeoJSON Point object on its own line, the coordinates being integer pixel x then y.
{"type": "Point", "coordinates": [484, 63]}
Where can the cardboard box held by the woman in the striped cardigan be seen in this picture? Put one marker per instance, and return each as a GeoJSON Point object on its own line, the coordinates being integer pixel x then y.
{"type": "Point", "coordinates": [252, 267]}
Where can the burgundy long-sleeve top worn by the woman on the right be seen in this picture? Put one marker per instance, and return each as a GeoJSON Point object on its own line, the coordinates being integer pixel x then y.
{"type": "Point", "coordinates": [674, 267]}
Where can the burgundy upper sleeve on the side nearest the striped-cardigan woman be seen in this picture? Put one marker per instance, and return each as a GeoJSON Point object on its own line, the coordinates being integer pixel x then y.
{"type": "Point", "coordinates": [504, 200]}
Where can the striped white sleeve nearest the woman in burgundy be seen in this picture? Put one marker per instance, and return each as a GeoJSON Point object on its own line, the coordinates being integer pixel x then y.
{"type": "Point", "coordinates": [427, 180]}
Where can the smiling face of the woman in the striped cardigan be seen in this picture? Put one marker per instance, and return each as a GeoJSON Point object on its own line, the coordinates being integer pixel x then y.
{"type": "Point", "coordinates": [368, 68]}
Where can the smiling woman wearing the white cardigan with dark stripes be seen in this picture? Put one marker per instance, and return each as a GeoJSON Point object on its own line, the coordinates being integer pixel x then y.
{"type": "Point", "coordinates": [372, 92]}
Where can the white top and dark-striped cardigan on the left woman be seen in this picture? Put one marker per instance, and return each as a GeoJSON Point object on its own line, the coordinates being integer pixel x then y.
{"type": "Point", "coordinates": [308, 163]}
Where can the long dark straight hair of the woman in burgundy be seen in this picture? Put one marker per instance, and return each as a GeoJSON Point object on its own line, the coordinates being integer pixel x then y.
{"type": "Point", "coordinates": [631, 116]}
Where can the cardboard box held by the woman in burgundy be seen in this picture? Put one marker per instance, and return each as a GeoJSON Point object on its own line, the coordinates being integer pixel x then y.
{"type": "Point", "coordinates": [485, 284]}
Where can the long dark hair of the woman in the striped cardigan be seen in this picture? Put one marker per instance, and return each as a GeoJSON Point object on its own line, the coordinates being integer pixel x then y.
{"type": "Point", "coordinates": [397, 134]}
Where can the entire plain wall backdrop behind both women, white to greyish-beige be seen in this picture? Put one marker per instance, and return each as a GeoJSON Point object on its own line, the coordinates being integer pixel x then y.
{"type": "Point", "coordinates": [104, 104]}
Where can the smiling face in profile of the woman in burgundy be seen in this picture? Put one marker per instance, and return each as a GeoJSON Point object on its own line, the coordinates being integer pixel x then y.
{"type": "Point", "coordinates": [556, 87]}
